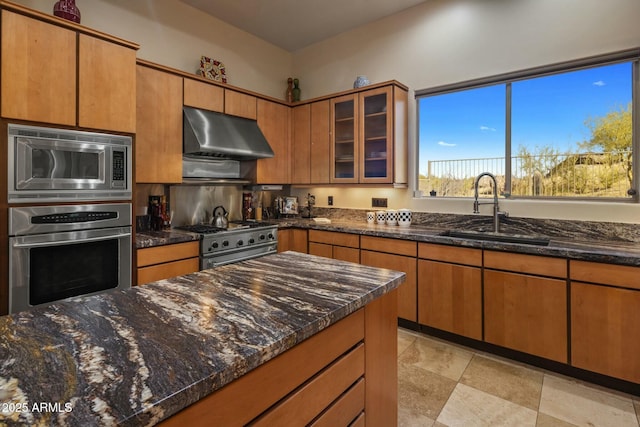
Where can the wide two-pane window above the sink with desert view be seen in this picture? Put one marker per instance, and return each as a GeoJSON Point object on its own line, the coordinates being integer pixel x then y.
{"type": "Point", "coordinates": [562, 131]}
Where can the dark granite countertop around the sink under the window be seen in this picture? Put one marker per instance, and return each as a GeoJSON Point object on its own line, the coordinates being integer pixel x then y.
{"type": "Point", "coordinates": [561, 244]}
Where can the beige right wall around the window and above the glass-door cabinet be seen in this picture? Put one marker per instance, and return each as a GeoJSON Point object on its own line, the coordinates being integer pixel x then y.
{"type": "Point", "coordinates": [447, 41]}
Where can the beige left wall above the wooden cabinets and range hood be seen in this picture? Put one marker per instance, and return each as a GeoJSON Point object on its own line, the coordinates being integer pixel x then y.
{"type": "Point", "coordinates": [177, 35]}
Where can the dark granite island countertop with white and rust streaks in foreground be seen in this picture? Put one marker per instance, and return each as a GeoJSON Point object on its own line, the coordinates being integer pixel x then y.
{"type": "Point", "coordinates": [137, 356]}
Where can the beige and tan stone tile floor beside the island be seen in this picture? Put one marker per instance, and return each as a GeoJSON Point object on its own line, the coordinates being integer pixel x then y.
{"type": "Point", "coordinates": [444, 384]}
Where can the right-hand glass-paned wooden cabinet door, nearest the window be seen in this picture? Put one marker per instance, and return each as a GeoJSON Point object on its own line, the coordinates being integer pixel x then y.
{"type": "Point", "coordinates": [376, 133]}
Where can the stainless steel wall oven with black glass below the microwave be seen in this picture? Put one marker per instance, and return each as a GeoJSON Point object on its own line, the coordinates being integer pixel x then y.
{"type": "Point", "coordinates": [58, 252]}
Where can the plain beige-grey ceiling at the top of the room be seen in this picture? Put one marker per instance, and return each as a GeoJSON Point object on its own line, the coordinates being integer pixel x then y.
{"type": "Point", "coordinates": [295, 24]}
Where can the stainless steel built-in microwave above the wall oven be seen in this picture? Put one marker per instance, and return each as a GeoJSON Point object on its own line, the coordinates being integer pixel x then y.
{"type": "Point", "coordinates": [56, 165]}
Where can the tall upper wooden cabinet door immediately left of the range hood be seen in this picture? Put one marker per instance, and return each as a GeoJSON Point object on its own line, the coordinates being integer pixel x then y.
{"type": "Point", "coordinates": [158, 144]}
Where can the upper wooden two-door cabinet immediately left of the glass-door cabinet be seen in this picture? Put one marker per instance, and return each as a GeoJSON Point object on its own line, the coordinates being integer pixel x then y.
{"type": "Point", "coordinates": [311, 143]}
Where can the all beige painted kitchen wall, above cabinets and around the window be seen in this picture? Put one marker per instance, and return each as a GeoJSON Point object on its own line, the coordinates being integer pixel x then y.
{"type": "Point", "coordinates": [438, 42]}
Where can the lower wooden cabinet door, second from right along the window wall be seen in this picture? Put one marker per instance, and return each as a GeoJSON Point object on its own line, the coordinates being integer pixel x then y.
{"type": "Point", "coordinates": [526, 313]}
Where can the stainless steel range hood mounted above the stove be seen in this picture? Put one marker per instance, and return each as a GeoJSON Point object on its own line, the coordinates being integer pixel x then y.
{"type": "Point", "coordinates": [215, 135]}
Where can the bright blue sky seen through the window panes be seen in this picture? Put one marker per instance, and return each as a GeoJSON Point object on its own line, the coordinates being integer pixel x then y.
{"type": "Point", "coordinates": [549, 110]}
